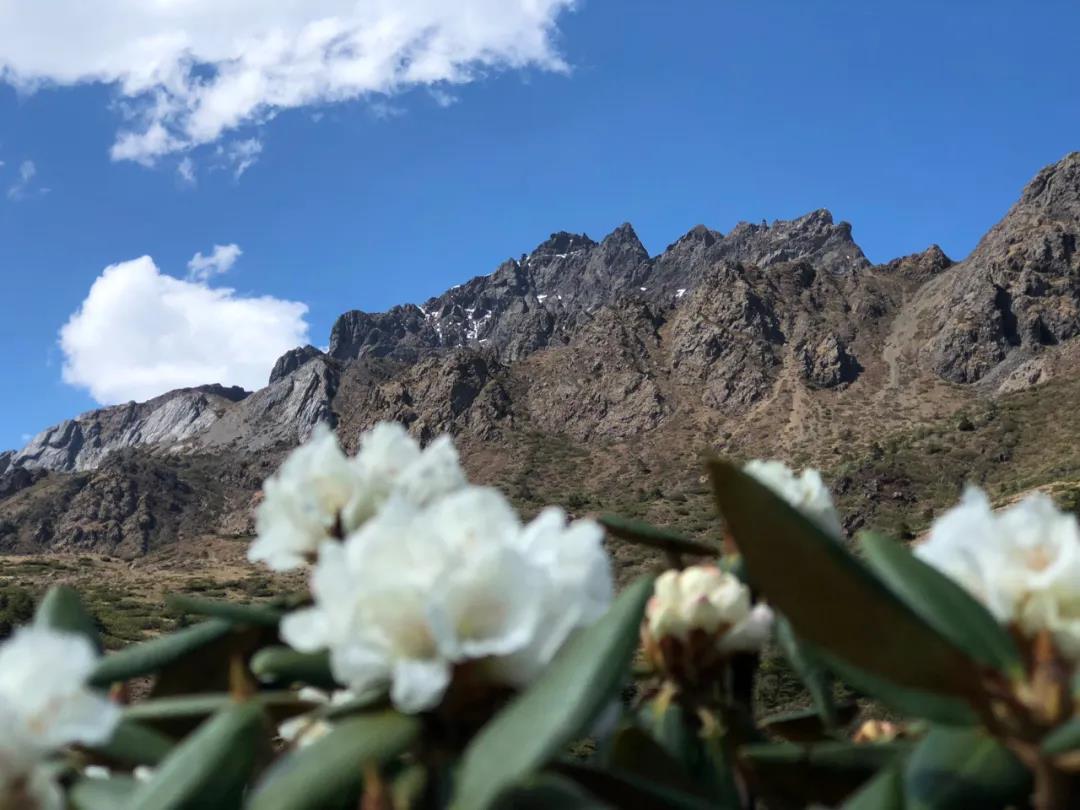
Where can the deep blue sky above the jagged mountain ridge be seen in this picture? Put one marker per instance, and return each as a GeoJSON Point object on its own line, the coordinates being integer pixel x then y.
{"type": "Point", "coordinates": [919, 124]}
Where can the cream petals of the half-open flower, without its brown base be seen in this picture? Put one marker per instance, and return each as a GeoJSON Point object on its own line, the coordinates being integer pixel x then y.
{"type": "Point", "coordinates": [707, 600]}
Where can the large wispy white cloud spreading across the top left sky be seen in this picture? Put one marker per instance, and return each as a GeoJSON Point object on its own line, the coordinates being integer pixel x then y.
{"type": "Point", "coordinates": [192, 71]}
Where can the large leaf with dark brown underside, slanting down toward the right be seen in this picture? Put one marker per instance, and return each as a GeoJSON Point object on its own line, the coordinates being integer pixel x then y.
{"type": "Point", "coordinates": [831, 598]}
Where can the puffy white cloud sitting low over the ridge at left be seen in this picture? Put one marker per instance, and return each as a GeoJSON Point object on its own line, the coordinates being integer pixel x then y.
{"type": "Point", "coordinates": [141, 333]}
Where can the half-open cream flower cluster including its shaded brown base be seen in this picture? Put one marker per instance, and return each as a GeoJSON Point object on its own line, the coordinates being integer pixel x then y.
{"type": "Point", "coordinates": [699, 617]}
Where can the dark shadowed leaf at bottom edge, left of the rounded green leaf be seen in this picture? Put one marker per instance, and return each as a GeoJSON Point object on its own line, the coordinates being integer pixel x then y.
{"type": "Point", "coordinates": [826, 773]}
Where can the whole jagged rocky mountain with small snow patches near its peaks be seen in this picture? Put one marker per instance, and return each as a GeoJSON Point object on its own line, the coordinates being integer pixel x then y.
{"type": "Point", "coordinates": [589, 366]}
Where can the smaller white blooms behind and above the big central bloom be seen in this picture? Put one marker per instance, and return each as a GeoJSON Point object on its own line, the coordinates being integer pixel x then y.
{"type": "Point", "coordinates": [320, 494]}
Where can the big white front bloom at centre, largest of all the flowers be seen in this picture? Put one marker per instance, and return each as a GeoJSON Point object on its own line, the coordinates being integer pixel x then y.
{"type": "Point", "coordinates": [417, 592]}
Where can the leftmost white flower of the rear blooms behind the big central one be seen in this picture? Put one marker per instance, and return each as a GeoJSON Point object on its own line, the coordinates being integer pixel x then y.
{"type": "Point", "coordinates": [303, 503]}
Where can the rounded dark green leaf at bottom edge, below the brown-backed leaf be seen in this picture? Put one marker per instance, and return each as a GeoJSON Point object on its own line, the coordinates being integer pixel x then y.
{"type": "Point", "coordinates": [965, 768]}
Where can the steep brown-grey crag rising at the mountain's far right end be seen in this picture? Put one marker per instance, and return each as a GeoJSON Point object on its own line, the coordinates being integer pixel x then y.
{"type": "Point", "coordinates": [1020, 290]}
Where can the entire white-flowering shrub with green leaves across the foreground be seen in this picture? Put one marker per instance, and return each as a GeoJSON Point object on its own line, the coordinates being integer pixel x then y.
{"type": "Point", "coordinates": [450, 654]}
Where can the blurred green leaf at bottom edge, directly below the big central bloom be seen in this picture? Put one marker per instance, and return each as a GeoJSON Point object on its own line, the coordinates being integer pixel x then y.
{"type": "Point", "coordinates": [331, 769]}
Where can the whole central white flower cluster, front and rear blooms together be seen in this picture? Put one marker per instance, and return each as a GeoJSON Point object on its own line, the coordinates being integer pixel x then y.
{"type": "Point", "coordinates": [433, 574]}
